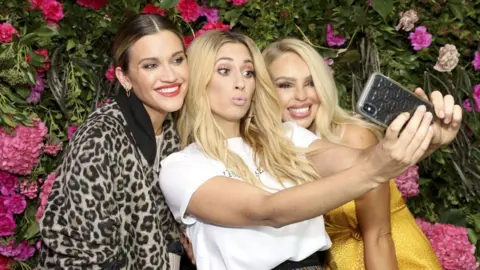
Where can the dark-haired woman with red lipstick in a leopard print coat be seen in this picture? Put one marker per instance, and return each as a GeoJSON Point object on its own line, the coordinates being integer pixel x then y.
{"type": "Point", "coordinates": [106, 210]}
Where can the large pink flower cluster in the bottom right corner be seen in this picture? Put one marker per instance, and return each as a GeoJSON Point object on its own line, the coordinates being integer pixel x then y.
{"type": "Point", "coordinates": [451, 245]}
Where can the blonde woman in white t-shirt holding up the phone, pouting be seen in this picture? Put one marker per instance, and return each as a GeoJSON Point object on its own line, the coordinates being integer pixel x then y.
{"type": "Point", "coordinates": [244, 183]}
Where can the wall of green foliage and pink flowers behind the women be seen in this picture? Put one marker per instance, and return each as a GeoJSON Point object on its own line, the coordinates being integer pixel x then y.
{"type": "Point", "coordinates": [56, 67]}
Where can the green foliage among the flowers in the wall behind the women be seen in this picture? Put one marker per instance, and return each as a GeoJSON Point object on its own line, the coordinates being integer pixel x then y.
{"type": "Point", "coordinates": [80, 55]}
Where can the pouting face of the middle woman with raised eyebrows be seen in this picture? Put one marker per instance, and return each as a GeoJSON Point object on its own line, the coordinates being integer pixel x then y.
{"type": "Point", "coordinates": [232, 85]}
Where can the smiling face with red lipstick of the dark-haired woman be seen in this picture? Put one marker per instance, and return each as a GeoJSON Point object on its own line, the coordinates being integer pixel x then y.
{"type": "Point", "coordinates": [157, 72]}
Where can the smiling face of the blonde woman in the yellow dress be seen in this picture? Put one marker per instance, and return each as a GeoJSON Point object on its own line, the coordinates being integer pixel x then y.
{"type": "Point", "coordinates": [296, 89]}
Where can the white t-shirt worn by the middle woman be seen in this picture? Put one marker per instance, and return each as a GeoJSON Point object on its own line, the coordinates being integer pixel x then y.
{"type": "Point", "coordinates": [255, 247]}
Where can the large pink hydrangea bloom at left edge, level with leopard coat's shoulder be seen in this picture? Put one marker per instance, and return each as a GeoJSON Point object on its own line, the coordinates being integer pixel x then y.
{"type": "Point", "coordinates": [19, 153]}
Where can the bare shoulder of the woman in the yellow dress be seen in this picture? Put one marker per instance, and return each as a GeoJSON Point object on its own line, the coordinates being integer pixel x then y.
{"type": "Point", "coordinates": [357, 136]}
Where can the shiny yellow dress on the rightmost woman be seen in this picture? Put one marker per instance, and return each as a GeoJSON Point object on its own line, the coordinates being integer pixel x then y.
{"type": "Point", "coordinates": [412, 248]}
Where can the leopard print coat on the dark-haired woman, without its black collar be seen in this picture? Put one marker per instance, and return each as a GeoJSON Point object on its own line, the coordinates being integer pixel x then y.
{"type": "Point", "coordinates": [106, 209]}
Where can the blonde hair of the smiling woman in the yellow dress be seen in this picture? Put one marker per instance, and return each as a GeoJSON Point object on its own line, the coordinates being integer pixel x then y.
{"type": "Point", "coordinates": [330, 116]}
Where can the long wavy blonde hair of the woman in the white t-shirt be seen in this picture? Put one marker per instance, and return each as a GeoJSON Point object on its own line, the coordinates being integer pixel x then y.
{"type": "Point", "coordinates": [261, 128]}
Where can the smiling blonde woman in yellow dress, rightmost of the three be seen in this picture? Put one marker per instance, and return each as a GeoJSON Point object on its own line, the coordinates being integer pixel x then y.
{"type": "Point", "coordinates": [376, 230]}
